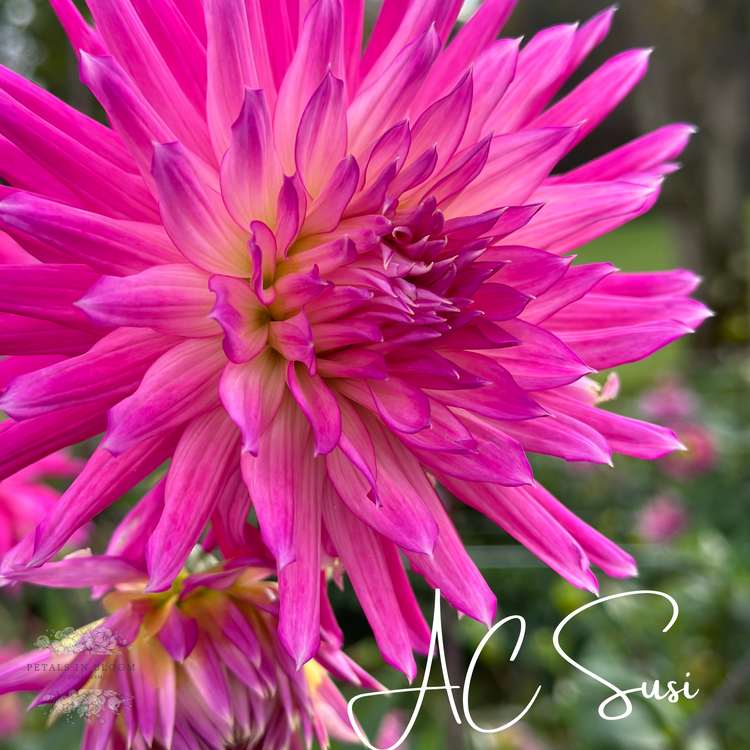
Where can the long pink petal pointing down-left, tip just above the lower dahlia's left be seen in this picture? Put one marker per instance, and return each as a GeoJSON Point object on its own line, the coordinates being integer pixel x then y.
{"type": "Point", "coordinates": [201, 467]}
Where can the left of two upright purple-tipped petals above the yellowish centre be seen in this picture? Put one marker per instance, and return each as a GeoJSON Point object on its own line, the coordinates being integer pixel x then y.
{"type": "Point", "coordinates": [251, 176]}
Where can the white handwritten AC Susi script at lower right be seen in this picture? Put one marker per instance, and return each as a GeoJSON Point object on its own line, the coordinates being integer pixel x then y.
{"type": "Point", "coordinates": [672, 692]}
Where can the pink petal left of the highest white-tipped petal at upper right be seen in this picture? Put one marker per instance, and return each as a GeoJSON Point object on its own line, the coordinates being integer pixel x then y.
{"type": "Point", "coordinates": [540, 64]}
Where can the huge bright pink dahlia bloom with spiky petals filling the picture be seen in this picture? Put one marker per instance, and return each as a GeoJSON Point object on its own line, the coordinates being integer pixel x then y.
{"type": "Point", "coordinates": [318, 281]}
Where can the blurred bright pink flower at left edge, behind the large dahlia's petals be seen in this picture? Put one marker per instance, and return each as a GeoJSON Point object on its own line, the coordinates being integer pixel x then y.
{"type": "Point", "coordinates": [25, 499]}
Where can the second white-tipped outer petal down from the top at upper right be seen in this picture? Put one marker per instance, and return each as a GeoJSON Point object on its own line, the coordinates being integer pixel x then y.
{"type": "Point", "coordinates": [591, 101]}
